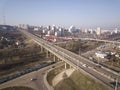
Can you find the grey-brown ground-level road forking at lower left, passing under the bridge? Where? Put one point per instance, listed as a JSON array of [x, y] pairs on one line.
[[25, 80]]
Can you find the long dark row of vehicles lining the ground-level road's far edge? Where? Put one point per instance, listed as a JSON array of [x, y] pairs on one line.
[[25, 71]]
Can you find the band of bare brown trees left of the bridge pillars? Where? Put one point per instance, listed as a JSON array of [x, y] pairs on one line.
[[9, 55]]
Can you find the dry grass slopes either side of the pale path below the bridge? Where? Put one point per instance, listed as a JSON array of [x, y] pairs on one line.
[[77, 81]]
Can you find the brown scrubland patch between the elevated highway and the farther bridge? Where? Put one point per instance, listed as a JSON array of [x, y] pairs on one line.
[[82, 46]]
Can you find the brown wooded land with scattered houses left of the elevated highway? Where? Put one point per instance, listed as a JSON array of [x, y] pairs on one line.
[[18, 52]]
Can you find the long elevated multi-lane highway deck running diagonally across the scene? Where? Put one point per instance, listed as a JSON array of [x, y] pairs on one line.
[[105, 75]]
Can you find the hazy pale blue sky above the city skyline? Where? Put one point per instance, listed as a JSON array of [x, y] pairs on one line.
[[80, 13]]
